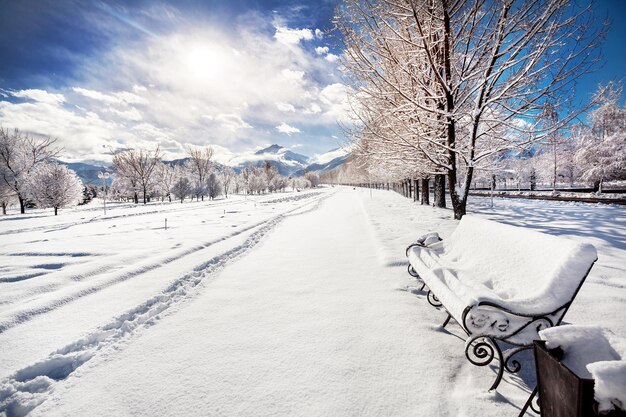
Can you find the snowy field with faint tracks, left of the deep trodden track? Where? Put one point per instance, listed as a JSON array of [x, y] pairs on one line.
[[127, 264]]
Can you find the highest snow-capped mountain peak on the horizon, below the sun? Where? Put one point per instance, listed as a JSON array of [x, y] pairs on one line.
[[285, 161]]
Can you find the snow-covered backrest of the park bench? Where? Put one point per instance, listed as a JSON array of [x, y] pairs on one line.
[[518, 263]]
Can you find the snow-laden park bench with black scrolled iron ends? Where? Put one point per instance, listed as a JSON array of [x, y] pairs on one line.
[[501, 283]]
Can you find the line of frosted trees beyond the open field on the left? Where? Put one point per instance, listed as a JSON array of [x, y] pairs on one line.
[[30, 174]]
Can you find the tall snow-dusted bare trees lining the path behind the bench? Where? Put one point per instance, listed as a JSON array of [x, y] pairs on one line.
[[445, 89]]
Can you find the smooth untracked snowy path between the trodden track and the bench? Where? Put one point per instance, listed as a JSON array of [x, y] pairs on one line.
[[309, 323]]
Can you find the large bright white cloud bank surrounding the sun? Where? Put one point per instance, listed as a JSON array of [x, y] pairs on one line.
[[232, 89]]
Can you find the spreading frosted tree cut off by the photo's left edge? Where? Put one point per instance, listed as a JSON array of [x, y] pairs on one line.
[[19, 155]]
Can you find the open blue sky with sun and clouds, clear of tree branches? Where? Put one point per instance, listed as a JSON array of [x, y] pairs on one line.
[[235, 74]]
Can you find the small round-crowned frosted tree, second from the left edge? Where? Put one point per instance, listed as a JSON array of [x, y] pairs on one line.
[[52, 185]]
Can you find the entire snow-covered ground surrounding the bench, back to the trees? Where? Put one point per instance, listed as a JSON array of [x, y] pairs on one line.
[[283, 304]]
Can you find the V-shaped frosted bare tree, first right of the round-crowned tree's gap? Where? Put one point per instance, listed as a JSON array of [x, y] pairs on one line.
[[138, 167]]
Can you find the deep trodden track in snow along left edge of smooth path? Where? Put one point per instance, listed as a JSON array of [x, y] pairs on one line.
[[28, 387]]
